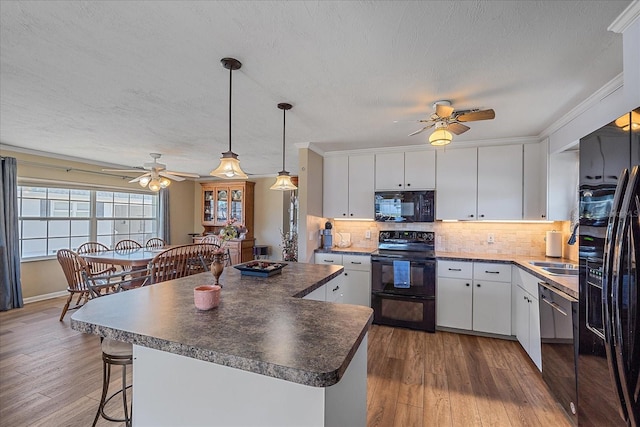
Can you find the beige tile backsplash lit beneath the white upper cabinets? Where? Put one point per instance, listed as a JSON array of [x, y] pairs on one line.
[[523, 239]]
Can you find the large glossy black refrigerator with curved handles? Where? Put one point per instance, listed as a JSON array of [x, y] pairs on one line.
[[609, 319]]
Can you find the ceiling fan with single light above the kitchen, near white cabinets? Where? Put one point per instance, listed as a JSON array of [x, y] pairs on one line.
[[445, 118]]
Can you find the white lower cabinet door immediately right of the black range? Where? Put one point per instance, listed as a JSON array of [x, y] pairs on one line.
[[454, 303]]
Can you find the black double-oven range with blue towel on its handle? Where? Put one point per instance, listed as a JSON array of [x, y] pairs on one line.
[[403, 280]]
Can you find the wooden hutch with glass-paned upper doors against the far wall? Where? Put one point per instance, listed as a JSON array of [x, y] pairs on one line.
[[225, 200]]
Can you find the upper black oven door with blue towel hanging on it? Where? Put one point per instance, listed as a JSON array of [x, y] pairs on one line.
[[422, 278]]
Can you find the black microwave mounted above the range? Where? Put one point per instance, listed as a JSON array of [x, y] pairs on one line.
[[405, 206]]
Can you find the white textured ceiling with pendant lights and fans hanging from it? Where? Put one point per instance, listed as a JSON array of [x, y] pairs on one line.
[[112, 81]]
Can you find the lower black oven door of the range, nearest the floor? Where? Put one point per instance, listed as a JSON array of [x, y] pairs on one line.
[[404, 311]]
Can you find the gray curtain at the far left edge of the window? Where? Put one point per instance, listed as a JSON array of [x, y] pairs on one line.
[[10, 286]]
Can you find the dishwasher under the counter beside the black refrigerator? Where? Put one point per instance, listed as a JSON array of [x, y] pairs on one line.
[[558, 328]]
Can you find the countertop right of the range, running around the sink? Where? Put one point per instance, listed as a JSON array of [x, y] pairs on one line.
[[566, 284]]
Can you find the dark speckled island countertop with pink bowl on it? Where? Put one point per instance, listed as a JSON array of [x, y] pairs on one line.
[[262, 324]]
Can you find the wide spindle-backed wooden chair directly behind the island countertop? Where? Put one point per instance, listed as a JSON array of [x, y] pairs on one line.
[[180, 261]]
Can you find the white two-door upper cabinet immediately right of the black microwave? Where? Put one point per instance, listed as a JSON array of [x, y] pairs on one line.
[[480, 183]]
